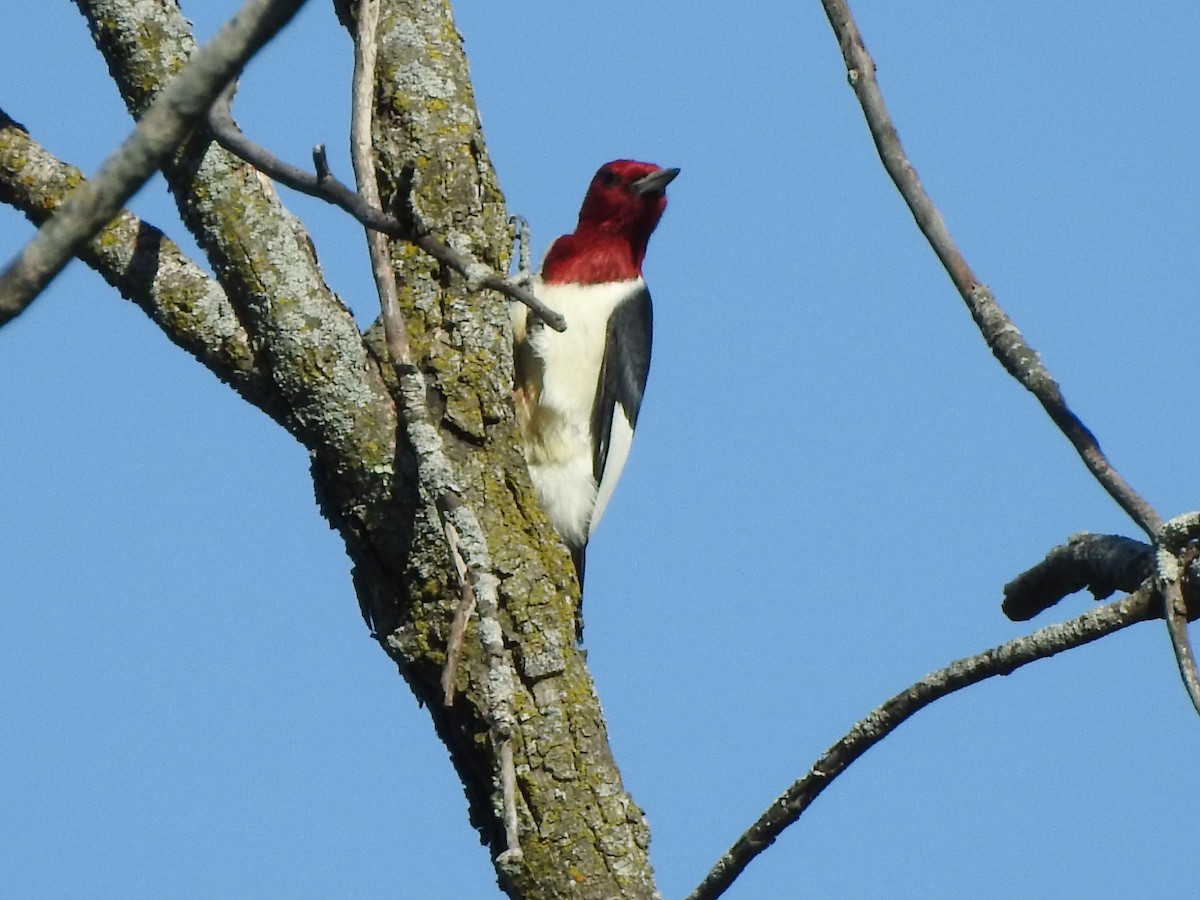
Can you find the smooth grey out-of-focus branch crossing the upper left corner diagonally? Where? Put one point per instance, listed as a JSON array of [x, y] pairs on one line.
[[159, 134]]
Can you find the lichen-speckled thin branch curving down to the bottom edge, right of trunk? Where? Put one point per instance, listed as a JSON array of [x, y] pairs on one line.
[[1000, 661]]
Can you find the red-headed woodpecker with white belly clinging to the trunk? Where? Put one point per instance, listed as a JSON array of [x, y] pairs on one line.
[[579, 392]]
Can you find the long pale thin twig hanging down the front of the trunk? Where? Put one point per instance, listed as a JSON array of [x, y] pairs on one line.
[[465, 537]]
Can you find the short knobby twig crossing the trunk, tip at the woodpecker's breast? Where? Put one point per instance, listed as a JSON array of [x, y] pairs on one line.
[[326, 187]]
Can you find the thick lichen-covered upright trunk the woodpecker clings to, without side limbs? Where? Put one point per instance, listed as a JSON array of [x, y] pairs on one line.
[[581, 835]]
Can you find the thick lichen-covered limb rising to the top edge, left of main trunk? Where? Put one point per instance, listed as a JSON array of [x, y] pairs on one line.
[[338, 403]]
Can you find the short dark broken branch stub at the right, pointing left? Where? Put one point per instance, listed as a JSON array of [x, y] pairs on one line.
[[1105, 563]]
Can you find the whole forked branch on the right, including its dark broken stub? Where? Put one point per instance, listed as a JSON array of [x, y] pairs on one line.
[[1063, 572]]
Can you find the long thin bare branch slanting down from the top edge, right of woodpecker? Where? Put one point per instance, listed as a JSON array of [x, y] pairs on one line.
[[1006, 343]]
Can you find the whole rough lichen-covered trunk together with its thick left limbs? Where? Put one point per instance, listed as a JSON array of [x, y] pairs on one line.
[[275, 331]]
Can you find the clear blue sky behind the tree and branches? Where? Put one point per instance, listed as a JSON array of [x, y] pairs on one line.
[[832, 482]]
